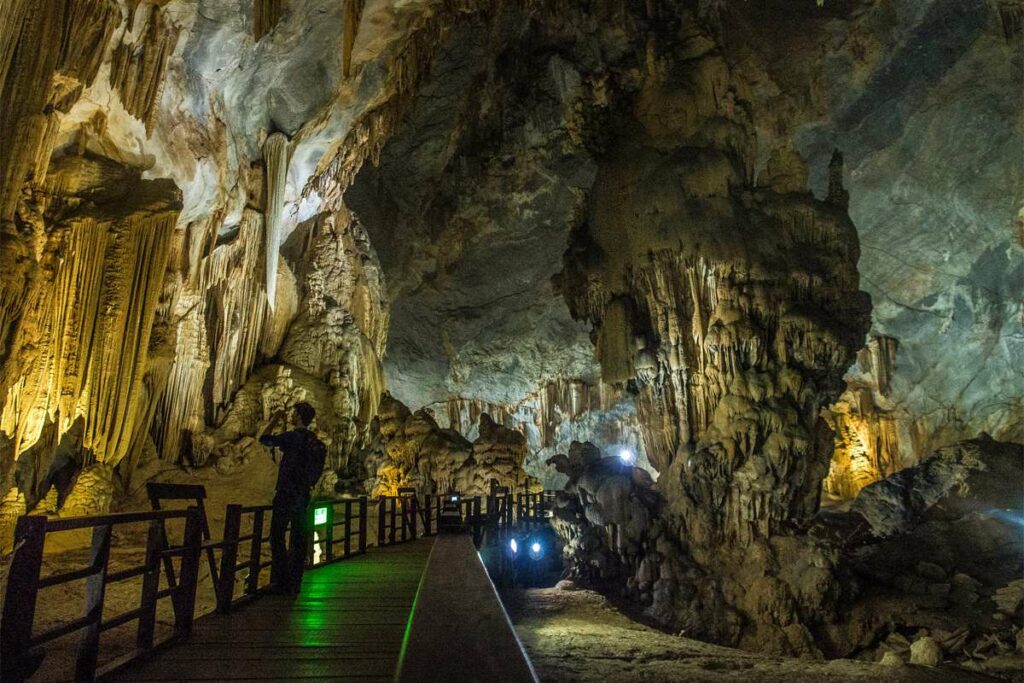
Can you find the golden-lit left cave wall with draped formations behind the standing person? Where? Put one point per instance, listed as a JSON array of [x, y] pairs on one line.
[[147, 195]]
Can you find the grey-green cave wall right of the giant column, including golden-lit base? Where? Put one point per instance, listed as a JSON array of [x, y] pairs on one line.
[[923, 100]]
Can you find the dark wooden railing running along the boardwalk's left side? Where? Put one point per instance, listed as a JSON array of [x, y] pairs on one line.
[[399, 521]]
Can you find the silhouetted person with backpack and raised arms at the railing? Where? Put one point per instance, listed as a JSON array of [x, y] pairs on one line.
[[302, 466]]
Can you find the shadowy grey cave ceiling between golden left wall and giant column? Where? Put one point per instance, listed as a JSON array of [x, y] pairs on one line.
[[471, 208]]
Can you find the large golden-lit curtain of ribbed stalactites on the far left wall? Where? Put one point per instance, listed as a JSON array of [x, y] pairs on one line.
[[90, 329]]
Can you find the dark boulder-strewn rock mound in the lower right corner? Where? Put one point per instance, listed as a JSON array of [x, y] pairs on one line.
[[935, 549]]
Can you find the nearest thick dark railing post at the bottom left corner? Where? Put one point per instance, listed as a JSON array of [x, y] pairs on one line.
[[20, 602]]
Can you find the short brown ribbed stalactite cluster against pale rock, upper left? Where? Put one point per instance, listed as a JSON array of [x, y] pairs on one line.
[[138, 69]]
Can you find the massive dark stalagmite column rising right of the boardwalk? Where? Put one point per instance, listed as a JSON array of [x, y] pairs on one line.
[[743, 341]]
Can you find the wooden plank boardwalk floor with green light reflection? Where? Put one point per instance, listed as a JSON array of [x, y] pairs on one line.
[[349, 624]]
